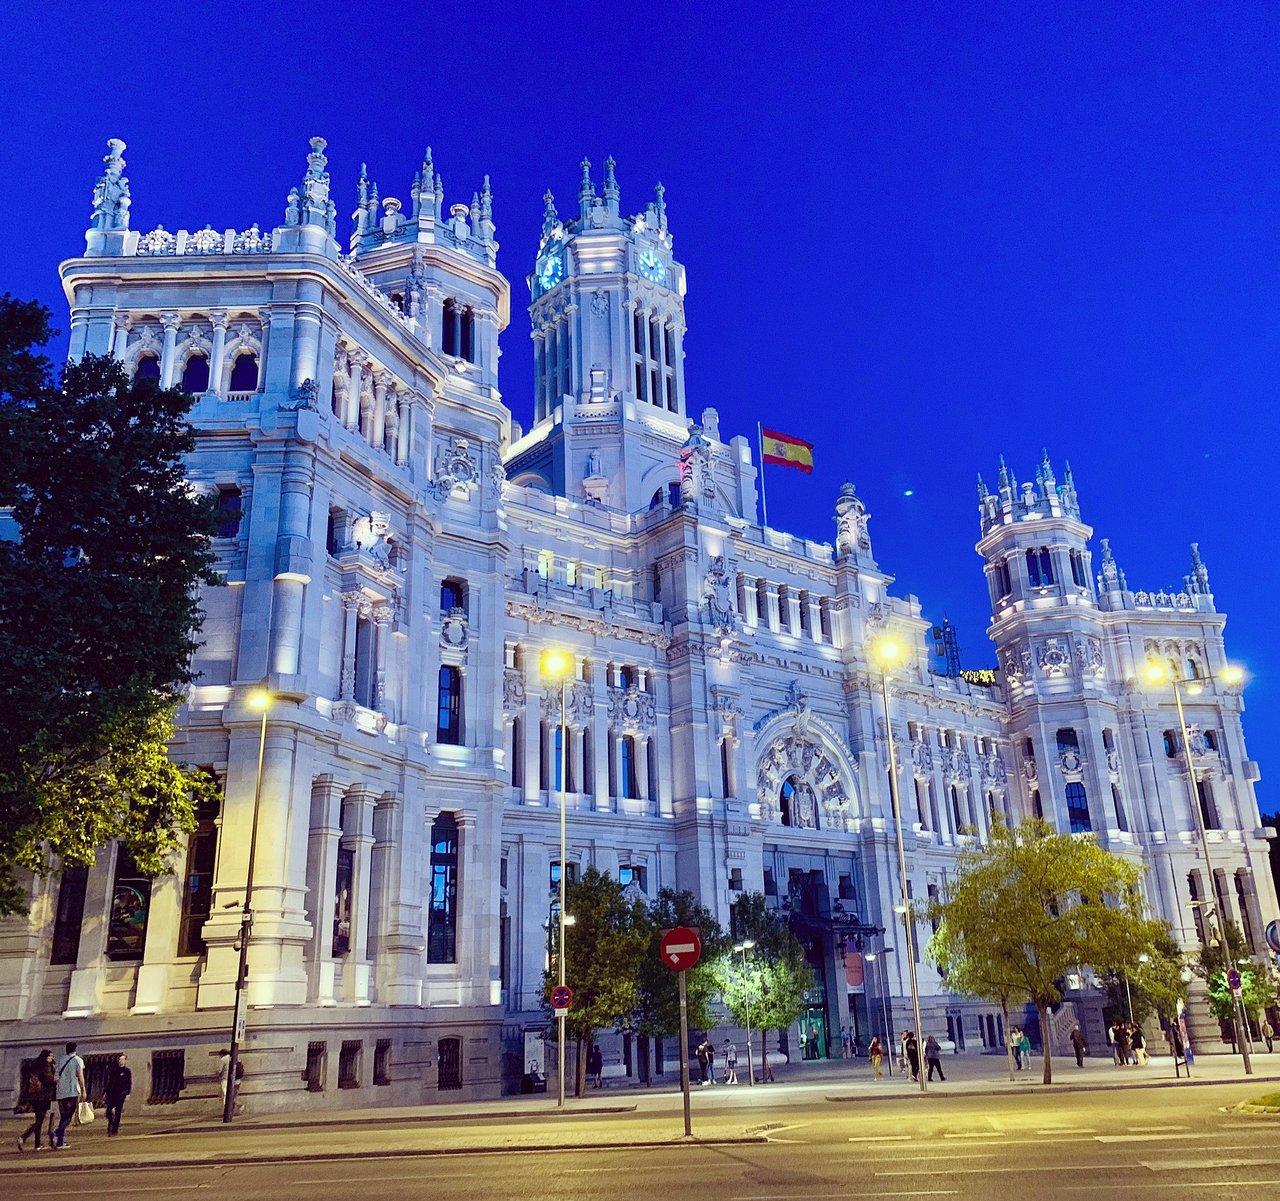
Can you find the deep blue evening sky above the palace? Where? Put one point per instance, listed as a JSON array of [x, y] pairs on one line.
[[918, 239]]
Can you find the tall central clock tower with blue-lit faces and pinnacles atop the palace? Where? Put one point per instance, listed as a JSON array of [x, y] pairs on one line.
[[609, 325]]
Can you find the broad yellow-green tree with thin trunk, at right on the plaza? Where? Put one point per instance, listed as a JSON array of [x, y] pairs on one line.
[[1031, 906]]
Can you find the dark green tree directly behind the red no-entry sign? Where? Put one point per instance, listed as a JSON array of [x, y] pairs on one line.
[[659, 992]]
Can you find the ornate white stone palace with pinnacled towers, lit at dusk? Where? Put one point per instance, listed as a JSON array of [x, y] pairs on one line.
[[396, 552]]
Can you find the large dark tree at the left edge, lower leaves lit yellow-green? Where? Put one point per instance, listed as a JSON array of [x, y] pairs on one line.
[[99, 610]]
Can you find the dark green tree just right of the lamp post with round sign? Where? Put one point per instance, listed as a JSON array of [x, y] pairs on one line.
[[606, 946]]
